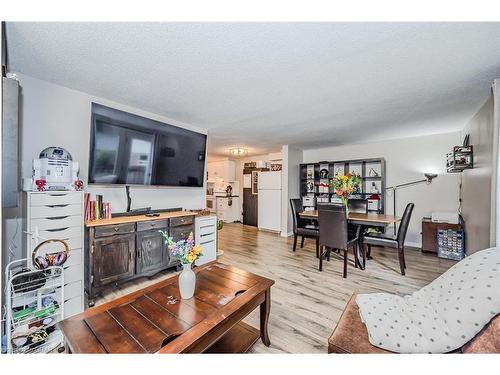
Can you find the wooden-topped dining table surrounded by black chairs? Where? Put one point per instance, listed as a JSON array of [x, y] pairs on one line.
[[365, 220]]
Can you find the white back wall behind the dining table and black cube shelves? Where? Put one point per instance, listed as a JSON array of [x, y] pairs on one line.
[[407, 160]]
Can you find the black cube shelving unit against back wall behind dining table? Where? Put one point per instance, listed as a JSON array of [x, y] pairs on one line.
[[312, 184]]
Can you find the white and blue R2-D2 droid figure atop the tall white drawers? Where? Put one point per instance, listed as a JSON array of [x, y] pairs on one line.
[[54, 170]]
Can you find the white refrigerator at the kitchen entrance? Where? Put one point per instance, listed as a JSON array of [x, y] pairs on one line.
[[269, 201]]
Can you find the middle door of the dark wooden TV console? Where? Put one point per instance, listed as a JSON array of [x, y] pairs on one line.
[[152, 253]]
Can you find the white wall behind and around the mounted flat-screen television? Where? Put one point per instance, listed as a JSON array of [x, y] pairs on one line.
[[52, 115]]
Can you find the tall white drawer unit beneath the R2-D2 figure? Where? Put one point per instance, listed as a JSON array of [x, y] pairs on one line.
[[58, 215]]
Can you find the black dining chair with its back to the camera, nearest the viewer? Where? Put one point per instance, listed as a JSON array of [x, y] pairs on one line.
[[333, 233]]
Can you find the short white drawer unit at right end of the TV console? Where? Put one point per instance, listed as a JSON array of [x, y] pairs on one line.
[[206, 236]]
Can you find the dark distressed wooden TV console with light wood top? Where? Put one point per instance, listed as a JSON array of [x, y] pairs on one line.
[[128, 248]]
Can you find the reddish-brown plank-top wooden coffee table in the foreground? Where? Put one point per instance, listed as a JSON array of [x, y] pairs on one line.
[[156, 320]]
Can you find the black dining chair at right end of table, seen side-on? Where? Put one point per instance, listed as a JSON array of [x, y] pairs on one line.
[[391, 241]]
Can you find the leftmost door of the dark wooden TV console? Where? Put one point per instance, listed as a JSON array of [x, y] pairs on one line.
[[113, 259]]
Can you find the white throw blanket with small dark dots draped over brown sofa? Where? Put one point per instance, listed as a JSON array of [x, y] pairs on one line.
[[440, 317]]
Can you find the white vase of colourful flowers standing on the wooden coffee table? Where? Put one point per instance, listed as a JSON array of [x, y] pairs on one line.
[[187, 252]]
